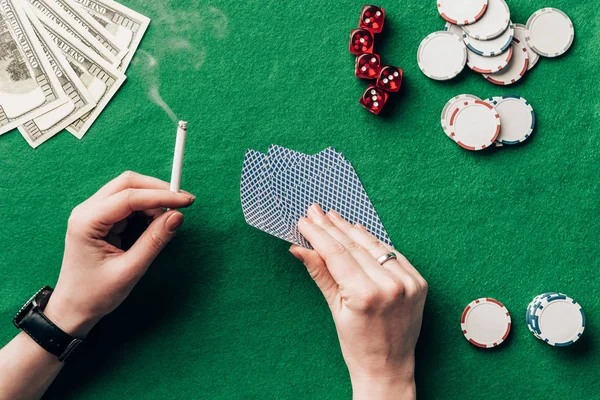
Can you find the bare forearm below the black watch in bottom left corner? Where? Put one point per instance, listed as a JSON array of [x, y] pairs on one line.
[[26, 369]]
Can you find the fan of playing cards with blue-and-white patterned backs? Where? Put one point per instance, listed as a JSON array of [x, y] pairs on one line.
[[277, 189]]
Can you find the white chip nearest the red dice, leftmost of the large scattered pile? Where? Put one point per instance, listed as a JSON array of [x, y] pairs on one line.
[[442, 55]]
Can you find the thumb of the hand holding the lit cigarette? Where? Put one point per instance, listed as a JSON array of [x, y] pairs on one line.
[[152, 241]]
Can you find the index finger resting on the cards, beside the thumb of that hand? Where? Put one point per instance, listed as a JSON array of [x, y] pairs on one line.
[[341, 265]]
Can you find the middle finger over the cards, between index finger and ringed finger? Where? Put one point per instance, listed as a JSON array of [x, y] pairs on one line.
[[370, 265]]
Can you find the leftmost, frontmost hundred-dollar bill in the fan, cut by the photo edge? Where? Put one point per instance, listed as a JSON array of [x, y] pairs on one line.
[[28, 86]]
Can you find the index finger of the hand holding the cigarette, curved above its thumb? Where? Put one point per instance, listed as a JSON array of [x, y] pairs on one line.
[[120, 205]]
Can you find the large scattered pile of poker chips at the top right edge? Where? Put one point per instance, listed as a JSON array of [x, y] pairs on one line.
[[480, 34]]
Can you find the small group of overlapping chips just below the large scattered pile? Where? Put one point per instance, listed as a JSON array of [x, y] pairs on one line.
[[476, 124]]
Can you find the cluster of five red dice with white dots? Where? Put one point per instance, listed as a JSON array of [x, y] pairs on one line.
[[368, 64]]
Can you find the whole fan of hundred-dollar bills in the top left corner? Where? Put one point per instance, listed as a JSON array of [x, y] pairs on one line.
[[61, 62]]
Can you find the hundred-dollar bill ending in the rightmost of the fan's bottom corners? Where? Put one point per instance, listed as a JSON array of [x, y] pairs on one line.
[[100, 78]]
